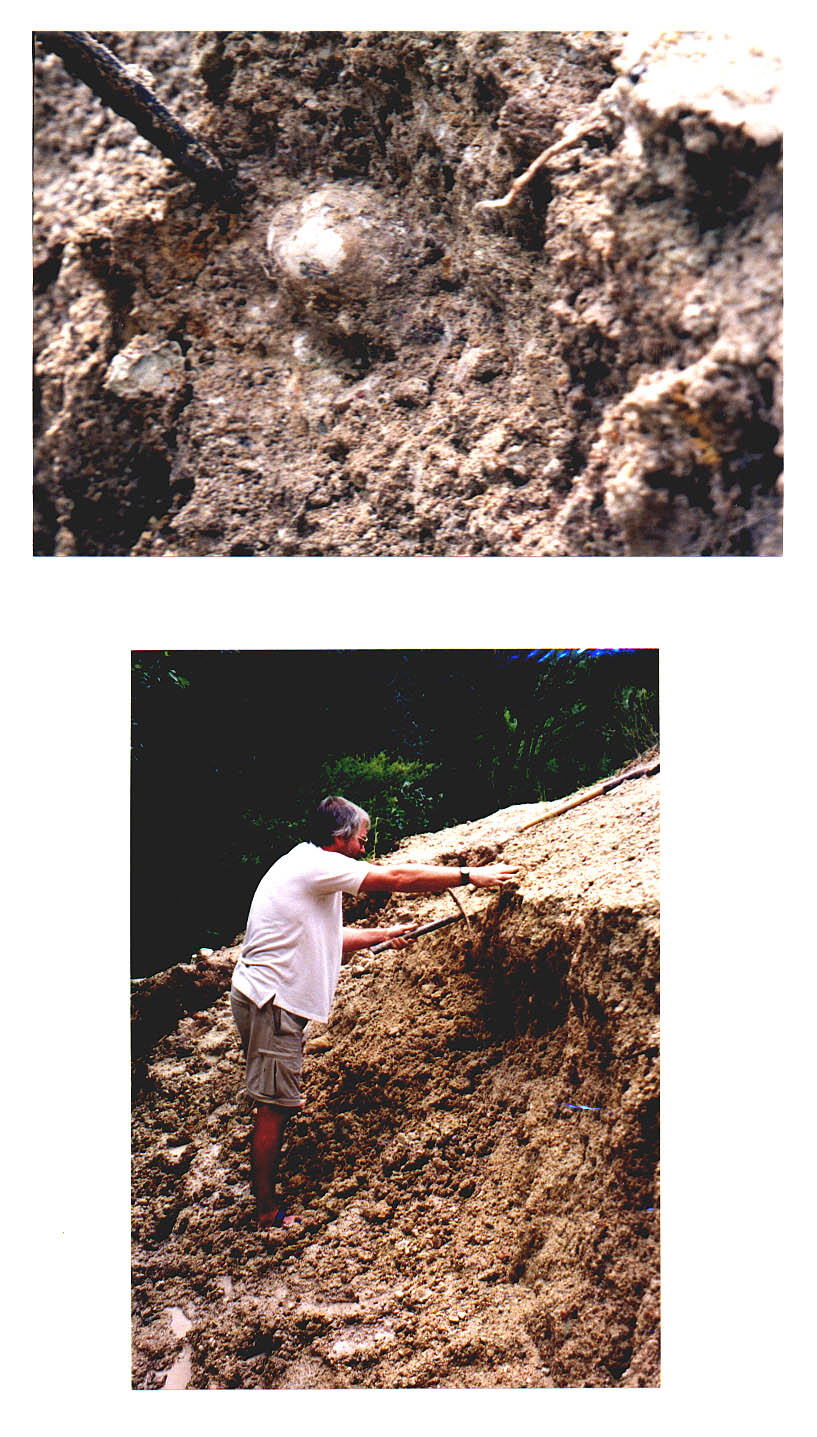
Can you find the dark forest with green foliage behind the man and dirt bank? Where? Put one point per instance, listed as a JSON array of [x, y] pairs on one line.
[[232, 749]]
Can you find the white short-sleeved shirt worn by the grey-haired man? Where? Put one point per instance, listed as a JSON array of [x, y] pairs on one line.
[[294, 942]]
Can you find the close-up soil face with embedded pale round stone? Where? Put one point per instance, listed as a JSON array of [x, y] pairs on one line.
[[364, 363]]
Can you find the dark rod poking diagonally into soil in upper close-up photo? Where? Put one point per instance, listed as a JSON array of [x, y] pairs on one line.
[[114, 84]]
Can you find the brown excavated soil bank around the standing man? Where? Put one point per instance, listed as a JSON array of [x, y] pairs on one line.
[[477, 1160]]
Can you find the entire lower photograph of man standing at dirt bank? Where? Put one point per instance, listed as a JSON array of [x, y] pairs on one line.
[[396, 1020]]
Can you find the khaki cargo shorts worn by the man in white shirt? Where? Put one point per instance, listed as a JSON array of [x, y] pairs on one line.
[[272, 1041]]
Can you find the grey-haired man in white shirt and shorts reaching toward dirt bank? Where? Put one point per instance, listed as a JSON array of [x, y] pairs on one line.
[[291, 964]]
